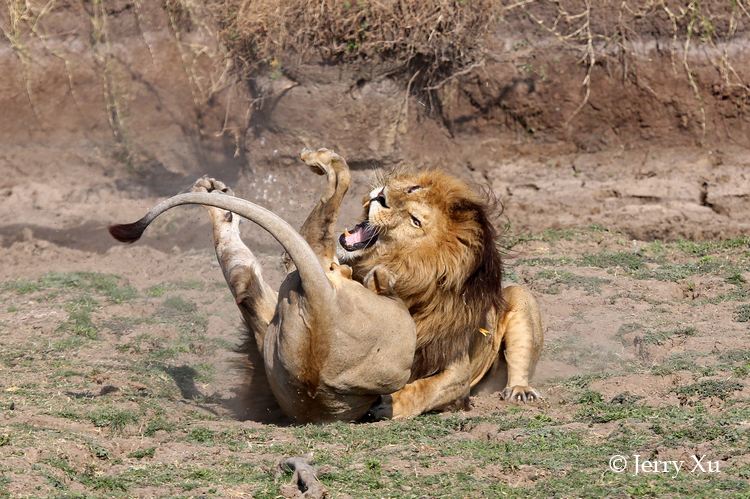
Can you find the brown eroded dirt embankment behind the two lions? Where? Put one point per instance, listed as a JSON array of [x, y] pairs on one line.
[[644, 130]]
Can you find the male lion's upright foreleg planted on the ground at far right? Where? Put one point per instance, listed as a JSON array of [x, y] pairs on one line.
[[522, 342]]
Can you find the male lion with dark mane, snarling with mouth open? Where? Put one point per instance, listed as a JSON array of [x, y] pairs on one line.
[[433, 234]]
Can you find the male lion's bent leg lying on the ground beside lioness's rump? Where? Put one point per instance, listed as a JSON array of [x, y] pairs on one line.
[[427, 394]]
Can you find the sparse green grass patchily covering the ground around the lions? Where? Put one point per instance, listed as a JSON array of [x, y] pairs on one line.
[[127, 443]]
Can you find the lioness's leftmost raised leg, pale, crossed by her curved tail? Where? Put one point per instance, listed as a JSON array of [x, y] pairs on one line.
[[255, 299]]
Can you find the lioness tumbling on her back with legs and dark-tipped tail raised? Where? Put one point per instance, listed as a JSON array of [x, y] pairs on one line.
[[330, 346]]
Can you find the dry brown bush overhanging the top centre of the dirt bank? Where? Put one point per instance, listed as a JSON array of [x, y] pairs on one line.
[[425, 41]]
